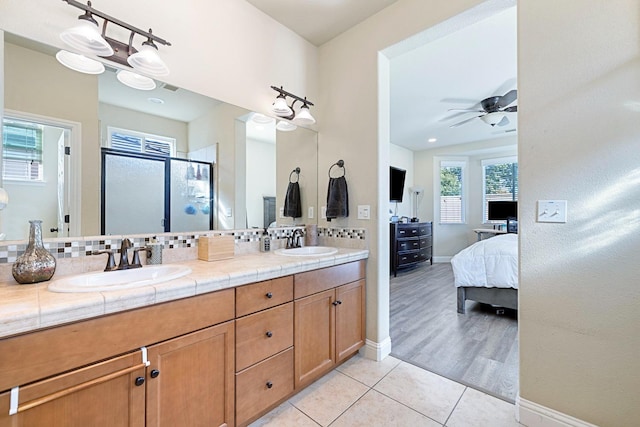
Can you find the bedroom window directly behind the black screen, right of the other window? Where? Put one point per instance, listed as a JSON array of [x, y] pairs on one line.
[[500, 181]]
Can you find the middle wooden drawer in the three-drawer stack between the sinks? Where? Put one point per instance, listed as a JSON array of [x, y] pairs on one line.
[[263, 334]]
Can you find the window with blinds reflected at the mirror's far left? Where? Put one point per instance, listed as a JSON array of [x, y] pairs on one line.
[[22, 151]]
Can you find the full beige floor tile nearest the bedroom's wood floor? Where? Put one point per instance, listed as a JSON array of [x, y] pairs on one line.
[[424, 391]]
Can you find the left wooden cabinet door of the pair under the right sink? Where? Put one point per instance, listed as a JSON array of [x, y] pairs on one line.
[[314, 336]]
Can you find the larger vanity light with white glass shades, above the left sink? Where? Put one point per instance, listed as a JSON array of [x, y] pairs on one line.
[[87, 39]]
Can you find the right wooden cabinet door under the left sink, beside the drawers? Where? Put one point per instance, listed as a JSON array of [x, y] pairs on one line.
[[190, 379]]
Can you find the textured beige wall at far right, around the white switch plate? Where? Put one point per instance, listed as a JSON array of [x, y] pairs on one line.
[[579, 70]]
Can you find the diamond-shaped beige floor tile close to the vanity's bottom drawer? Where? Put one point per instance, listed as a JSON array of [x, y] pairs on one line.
[[328, 397]]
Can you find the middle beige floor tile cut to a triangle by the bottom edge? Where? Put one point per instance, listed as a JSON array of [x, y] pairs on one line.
[[375, 409]]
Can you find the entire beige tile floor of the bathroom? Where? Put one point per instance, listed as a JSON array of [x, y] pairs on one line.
[[362, 392]]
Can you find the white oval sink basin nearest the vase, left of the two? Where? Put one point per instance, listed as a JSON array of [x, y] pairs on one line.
[[120, 279]]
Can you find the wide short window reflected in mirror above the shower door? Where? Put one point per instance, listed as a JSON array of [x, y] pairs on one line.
[[140, 142]]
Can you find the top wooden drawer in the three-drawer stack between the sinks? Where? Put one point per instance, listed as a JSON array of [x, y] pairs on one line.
[[263, 295]]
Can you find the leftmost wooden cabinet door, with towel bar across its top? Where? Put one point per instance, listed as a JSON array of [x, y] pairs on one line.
[[101, 395]]
